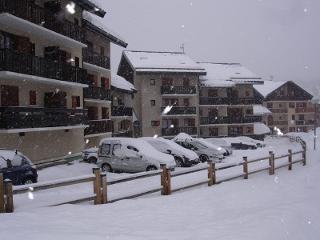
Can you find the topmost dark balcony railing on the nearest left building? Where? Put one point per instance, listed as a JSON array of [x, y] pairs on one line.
[[33, 13]]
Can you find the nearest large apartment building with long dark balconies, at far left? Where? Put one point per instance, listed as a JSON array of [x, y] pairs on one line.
[[42, 76]]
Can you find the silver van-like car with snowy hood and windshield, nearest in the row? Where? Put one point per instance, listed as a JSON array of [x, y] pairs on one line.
[[131, 155]]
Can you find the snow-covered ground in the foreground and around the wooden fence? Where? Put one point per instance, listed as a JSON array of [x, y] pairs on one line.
[[283, 206]]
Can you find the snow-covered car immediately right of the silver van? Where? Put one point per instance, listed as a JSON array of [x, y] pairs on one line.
[[183, 157]]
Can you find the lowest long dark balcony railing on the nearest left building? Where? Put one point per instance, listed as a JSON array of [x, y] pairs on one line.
[[36, 117]]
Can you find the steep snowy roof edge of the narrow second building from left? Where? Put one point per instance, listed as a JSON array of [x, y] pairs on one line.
[[103, 29]]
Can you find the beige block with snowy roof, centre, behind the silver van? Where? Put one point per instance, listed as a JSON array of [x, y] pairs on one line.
[[166, 102]]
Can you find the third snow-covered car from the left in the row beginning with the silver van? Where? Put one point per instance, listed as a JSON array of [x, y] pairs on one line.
[[205, 150]]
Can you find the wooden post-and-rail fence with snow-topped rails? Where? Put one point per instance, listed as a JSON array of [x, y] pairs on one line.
[[100, 183]]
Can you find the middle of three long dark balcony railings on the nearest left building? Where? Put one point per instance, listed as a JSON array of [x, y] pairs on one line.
[[41, 67]]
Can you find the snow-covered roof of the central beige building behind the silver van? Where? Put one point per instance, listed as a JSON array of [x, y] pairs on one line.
[[148, 61]]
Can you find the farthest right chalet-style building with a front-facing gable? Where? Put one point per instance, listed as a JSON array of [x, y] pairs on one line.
[[290, 104]]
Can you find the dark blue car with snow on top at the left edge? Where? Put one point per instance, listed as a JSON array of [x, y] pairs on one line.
[[17, 167]]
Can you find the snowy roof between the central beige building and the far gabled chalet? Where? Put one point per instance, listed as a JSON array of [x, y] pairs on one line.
[[226, 74]]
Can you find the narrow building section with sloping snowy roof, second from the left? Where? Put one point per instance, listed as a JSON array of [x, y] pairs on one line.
[[96, 60]]
